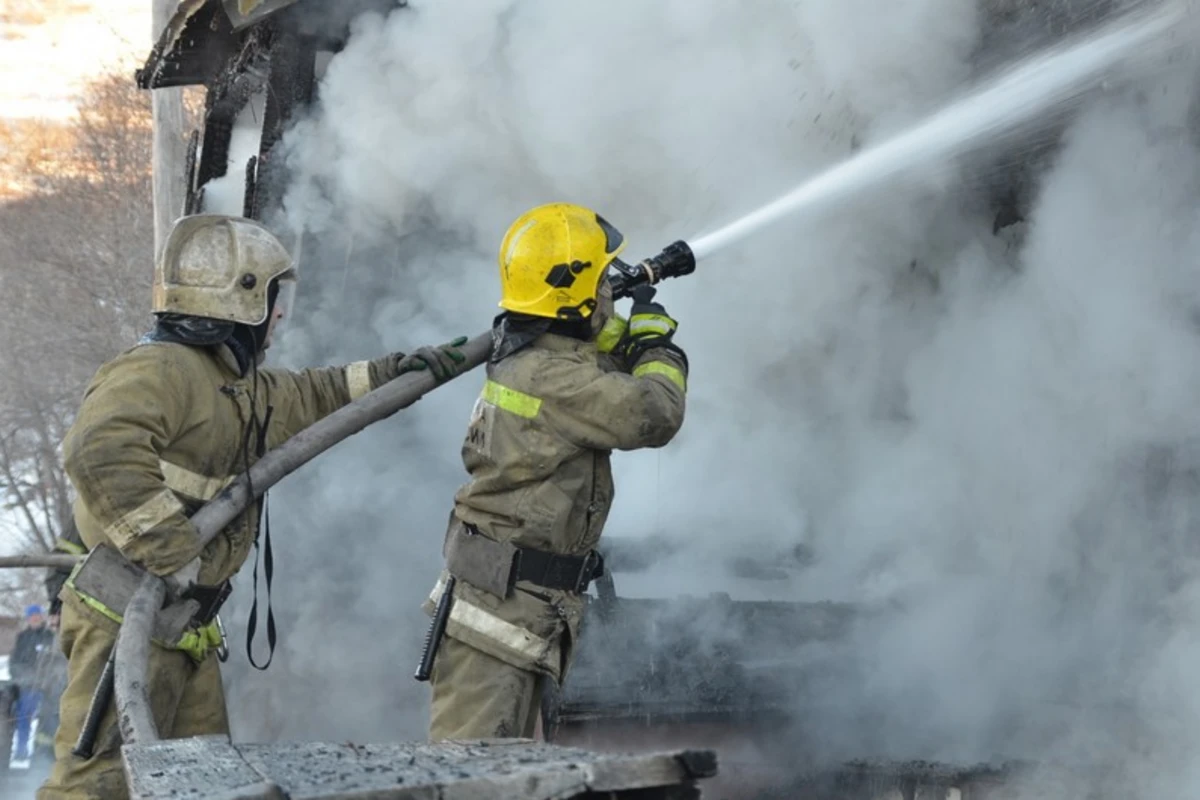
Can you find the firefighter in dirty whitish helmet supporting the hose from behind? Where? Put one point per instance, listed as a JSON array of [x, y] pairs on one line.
[[163, 429]]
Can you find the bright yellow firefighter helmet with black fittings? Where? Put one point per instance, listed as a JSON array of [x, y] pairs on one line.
[[554, 260]]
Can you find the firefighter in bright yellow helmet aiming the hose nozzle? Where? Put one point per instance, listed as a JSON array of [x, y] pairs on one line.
[[567, 384]]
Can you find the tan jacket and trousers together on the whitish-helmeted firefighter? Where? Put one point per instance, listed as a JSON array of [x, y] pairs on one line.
[[161, 430]]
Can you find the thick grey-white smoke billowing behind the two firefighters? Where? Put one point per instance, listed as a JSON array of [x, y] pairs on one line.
[[991, 434]]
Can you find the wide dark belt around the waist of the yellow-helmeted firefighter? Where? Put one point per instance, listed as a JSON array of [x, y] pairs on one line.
[[497, 567]]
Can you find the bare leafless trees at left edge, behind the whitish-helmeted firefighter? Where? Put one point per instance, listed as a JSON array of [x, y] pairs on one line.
[[76, 264]]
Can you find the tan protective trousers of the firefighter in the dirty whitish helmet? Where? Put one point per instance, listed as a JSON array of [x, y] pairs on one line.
[[187, 699]]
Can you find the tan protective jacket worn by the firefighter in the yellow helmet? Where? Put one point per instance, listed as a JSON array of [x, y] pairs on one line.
[[538, 453]]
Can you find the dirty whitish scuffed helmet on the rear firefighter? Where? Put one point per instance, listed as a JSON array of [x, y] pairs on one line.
[[219, 268]]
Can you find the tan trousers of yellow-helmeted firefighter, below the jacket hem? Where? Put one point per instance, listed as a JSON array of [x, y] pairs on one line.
[[479, 697]]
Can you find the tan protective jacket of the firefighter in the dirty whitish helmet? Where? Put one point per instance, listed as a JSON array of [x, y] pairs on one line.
[[164, 428]]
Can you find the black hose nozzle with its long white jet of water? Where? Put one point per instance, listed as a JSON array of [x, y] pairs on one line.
[[998, 107]]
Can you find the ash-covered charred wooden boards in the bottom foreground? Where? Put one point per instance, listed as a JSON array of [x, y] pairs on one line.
[[212, 767]]
